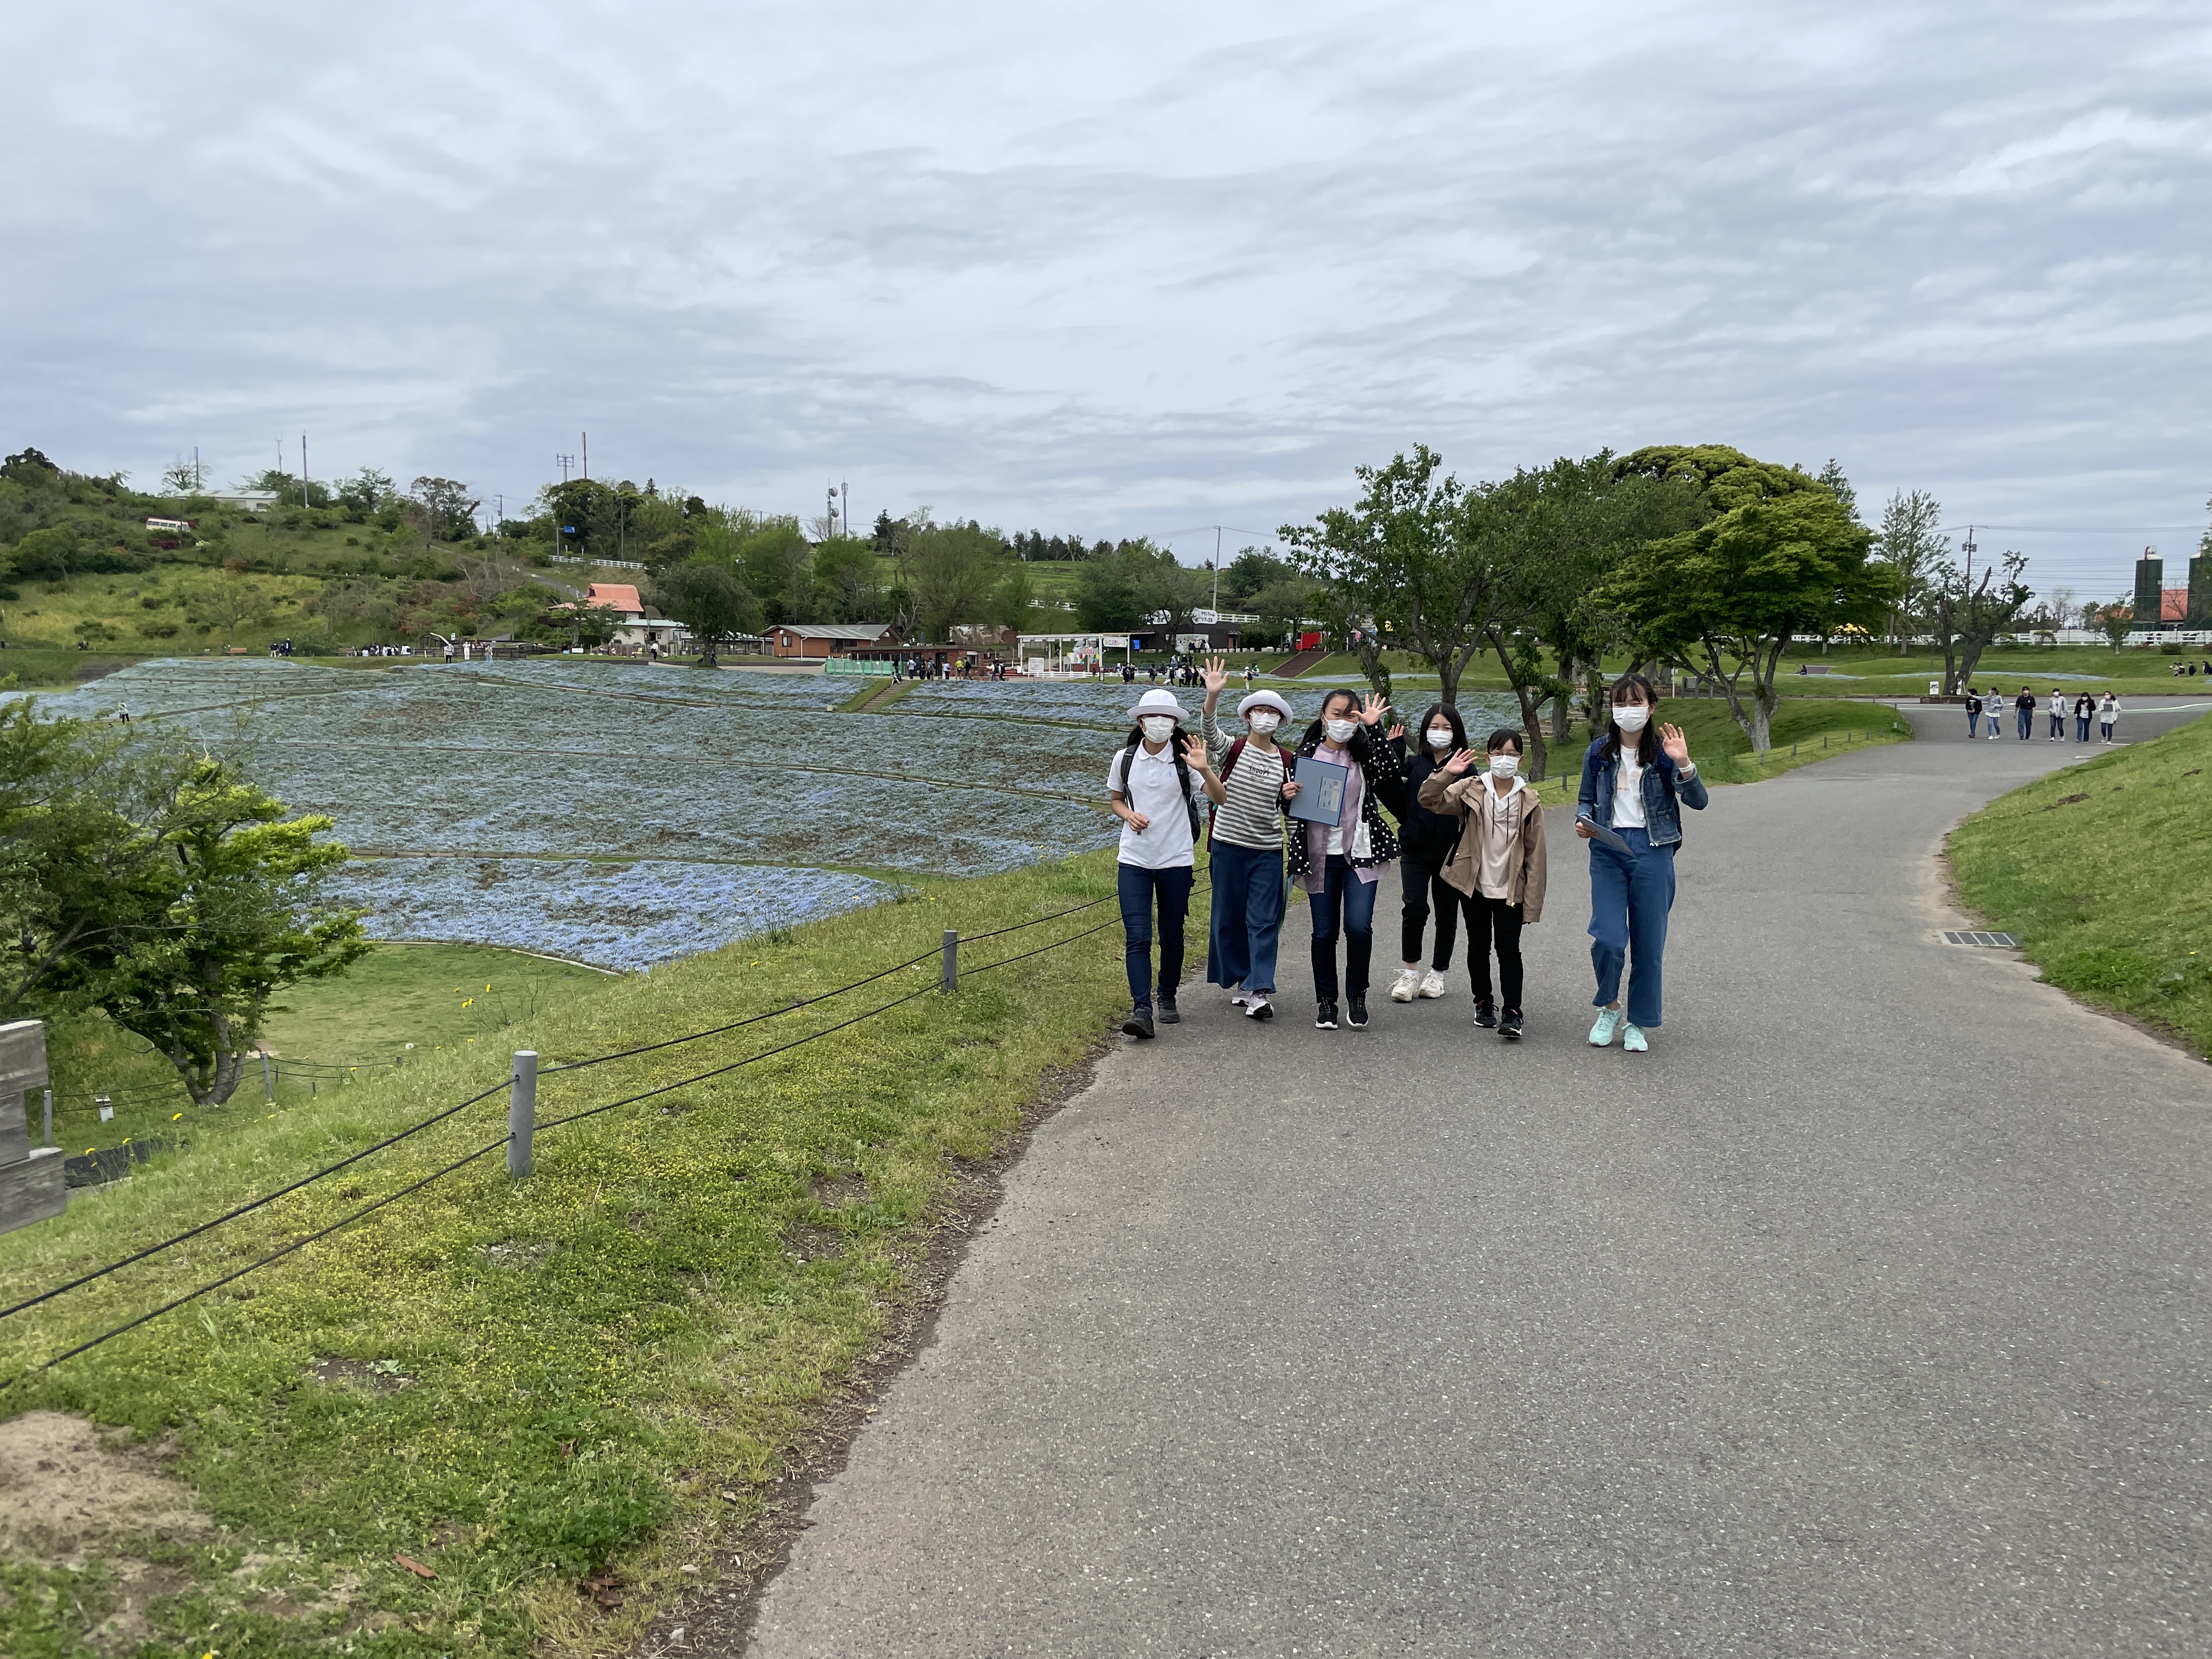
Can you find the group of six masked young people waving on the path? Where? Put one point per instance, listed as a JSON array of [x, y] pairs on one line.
[[1463, 826]]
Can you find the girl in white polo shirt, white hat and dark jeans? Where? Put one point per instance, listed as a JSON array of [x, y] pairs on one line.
[[1158, 786]]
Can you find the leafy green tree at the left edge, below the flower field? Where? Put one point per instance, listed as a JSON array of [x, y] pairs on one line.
[[160, 886]]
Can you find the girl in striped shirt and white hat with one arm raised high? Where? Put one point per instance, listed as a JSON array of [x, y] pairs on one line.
[[1246, 851]]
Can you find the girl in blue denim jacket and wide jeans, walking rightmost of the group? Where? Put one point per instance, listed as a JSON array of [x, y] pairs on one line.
[[1636, 782]]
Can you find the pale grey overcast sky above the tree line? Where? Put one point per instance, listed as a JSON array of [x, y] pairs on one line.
[[1125, 269]]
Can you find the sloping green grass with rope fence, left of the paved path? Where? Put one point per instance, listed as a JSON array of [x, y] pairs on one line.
[[609, 1364]]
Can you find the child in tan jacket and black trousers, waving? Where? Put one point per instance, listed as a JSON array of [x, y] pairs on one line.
[[1499, 864]]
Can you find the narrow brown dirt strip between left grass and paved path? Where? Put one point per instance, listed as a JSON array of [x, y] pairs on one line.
[[718, 1614]]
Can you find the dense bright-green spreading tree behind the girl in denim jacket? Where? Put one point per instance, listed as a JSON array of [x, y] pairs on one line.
[[1777, 561]]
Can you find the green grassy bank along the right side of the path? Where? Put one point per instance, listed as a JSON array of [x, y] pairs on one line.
[[2105, 875]]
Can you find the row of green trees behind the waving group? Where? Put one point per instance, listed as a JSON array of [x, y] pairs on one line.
[[1693, 559]]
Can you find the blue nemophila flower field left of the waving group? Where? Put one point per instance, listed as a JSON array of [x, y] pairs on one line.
[[477, 791]]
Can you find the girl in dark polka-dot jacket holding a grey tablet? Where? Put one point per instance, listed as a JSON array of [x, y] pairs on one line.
[[1342, 866]]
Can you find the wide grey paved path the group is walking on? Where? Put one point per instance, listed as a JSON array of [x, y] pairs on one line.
[[1868, 1315]]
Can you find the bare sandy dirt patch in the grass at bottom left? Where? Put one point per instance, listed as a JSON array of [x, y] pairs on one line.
[[63, 1481]]
